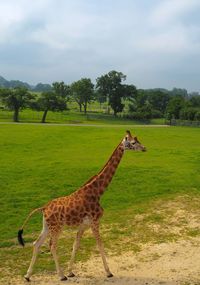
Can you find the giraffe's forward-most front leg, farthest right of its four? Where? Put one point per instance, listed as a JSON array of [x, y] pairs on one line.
[[95, 230]]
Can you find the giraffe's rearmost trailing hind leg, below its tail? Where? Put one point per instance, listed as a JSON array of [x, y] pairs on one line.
[[36, 246]]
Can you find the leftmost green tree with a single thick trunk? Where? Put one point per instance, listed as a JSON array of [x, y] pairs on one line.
[[15, 99]]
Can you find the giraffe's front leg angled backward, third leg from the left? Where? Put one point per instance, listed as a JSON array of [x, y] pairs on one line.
[[76, 245]]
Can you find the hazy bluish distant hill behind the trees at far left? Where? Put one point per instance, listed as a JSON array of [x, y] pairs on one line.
[[40, 87]]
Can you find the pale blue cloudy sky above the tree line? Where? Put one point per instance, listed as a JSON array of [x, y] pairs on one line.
[[155, 43]]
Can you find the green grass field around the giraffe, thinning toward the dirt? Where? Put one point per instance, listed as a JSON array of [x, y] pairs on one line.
[[42, 162]]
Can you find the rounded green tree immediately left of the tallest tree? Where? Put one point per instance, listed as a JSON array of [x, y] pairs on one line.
[[82, 91]]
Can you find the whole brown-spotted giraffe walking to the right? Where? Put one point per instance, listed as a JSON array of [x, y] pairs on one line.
[[82, 209]]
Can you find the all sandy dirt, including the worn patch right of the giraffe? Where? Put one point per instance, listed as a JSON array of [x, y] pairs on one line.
[[166, 263]]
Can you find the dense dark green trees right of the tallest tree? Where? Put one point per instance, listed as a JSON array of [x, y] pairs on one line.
[[176, 104]]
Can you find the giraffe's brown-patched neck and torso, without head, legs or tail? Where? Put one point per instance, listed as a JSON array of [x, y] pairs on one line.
[[72, 209]]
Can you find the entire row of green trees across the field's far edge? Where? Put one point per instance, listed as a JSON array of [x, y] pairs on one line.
[[140, 104]]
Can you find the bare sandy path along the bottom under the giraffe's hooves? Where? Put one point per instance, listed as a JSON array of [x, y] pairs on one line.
[[162, 264]]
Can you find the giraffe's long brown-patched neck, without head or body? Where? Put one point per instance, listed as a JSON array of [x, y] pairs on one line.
[[104, 177]]
